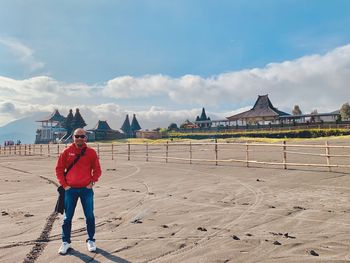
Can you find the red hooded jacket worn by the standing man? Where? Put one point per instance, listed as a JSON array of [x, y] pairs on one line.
[[86, 170]]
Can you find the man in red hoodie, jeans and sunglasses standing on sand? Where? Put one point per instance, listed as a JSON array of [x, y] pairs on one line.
[[78, 183]]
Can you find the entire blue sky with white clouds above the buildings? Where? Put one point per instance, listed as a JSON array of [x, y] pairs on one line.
[[166, 59]]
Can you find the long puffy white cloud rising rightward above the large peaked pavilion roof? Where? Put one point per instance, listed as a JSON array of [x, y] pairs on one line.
[[315, 81]]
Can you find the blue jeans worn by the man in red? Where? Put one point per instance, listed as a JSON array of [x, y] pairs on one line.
[[86, 196]]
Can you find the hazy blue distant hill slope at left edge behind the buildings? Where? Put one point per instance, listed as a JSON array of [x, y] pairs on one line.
[[23, 129]]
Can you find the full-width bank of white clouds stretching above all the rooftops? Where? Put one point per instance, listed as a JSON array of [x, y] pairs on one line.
[[313, 82]]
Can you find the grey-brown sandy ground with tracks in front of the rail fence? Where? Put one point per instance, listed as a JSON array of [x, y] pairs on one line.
[[177, 212]]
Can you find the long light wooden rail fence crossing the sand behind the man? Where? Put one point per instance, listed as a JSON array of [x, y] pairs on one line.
[[284, 155]]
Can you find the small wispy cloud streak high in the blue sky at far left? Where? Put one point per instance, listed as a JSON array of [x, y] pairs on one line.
[[23, 53]]
